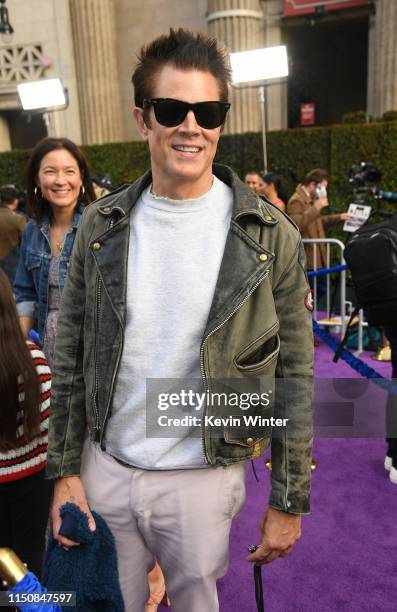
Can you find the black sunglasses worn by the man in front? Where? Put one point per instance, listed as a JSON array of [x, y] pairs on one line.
[[170, 112]]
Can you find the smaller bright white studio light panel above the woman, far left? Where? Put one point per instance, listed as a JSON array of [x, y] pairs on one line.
[[44, 94]]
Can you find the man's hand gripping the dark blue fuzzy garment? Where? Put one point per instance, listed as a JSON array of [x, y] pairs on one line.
[[69, 489]]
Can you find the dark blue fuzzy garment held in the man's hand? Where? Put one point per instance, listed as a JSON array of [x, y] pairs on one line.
[[90, 569]]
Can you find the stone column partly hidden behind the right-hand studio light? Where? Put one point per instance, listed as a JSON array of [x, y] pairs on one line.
[[238, 24]]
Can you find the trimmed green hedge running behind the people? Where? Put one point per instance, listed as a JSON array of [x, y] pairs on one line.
[[291, 153]]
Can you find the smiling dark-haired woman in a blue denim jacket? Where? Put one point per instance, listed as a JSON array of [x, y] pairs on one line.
[[58, 187]]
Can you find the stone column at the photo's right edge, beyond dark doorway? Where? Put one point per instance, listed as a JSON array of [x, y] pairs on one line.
[[382, 59]]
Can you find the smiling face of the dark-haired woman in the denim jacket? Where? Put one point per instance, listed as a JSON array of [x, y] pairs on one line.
[[59, 179]]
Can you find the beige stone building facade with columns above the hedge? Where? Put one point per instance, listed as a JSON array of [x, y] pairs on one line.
[[91, 45]]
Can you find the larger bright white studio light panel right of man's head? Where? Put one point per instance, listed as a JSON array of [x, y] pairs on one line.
[[259, 64]]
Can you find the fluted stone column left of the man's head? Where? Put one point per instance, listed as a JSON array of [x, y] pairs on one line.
[[94, 39]]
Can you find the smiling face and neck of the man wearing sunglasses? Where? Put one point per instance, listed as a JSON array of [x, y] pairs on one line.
[[181, 156]]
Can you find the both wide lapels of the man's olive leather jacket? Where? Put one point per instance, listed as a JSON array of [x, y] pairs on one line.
[[244, 261]]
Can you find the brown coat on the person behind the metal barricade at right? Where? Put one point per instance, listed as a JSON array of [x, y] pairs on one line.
[[311, 223]]
